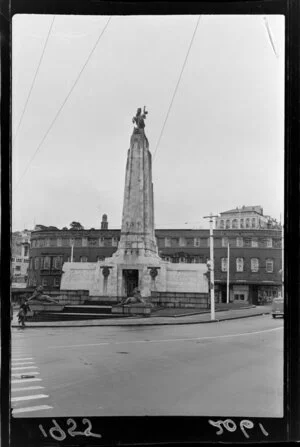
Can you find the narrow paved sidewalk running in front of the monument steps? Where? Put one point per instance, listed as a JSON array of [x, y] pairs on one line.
[[231, 314]]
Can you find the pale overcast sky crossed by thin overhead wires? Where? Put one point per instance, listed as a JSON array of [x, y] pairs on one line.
[[222, 145]]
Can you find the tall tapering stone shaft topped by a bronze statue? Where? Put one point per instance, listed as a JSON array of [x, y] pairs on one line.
[[137, 232]]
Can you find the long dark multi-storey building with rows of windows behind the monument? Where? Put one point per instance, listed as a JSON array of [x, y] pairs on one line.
[[255, 256]]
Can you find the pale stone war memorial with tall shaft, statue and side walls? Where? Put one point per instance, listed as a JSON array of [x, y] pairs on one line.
[[136, 263]]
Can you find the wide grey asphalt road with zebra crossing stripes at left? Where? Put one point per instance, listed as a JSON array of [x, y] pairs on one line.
[[231, 368]]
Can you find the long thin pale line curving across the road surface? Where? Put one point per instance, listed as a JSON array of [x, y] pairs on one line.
[[167, 340]]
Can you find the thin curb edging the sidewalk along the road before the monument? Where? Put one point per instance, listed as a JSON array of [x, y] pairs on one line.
[[171, 323]]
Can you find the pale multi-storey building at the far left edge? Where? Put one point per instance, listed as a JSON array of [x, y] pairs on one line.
[[20, 258]]
